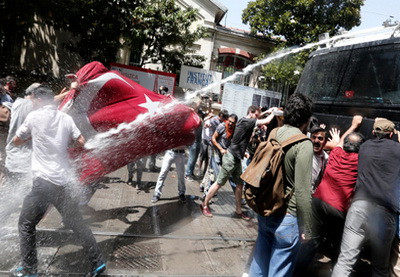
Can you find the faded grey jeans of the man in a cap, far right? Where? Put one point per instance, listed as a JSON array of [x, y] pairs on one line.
[[366, 220]]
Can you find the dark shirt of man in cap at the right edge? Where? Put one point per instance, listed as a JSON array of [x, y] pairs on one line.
[[379, 173]]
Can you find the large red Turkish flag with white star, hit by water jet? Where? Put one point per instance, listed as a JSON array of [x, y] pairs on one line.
[[122, 121]]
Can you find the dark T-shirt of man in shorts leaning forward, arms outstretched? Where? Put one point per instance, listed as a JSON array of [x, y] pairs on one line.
[[241, 137]]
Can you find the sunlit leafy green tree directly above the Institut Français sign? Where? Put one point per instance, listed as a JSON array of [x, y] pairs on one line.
[[163, 32]]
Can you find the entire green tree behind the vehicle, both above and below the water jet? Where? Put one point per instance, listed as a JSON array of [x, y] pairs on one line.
[[297, 22]]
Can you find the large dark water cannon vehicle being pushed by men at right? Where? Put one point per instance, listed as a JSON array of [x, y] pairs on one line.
[[357, 74]]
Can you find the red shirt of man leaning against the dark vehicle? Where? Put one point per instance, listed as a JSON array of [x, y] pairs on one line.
[[337, 184]]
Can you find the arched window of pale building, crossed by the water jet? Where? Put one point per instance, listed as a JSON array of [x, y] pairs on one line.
[[228, 64]]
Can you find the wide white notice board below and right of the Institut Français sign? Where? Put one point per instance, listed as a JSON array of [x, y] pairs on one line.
[[237, 98]]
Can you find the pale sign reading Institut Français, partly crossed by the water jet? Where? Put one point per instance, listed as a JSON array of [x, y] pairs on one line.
[[196, 78]]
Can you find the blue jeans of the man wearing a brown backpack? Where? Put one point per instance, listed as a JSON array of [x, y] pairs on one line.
[[276, 247]]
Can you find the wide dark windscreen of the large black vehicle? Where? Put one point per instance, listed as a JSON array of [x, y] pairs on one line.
[[361, 76]]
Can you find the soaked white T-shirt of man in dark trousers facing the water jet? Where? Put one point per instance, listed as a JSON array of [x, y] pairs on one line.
[[51, 132]]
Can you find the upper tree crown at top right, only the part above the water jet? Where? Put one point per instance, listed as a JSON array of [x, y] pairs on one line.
[[301, 21]]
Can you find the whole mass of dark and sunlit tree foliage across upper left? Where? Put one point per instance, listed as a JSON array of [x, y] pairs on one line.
[[102, 27]]
